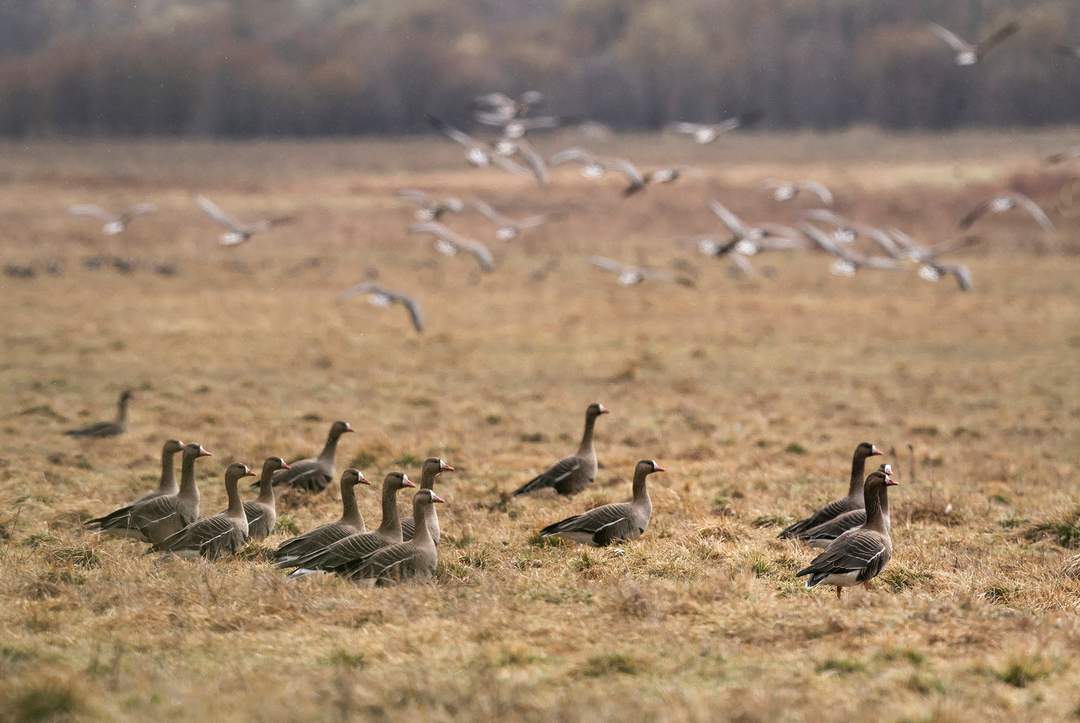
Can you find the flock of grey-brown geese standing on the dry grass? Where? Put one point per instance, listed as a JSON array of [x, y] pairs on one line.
[[853, 531]]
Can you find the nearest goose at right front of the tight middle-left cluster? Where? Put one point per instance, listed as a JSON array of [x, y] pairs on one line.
[[415, 560]]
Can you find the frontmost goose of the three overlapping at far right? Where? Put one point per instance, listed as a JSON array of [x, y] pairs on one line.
[[860, 555]]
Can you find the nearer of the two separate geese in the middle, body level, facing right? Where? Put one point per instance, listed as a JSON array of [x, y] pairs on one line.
[[612, 524]]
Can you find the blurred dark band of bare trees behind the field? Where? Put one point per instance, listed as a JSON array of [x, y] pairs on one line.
[[322, 68]]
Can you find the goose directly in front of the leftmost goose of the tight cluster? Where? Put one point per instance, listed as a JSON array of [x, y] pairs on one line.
[[156, 519]]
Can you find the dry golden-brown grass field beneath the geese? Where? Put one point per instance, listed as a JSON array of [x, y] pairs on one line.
[[751, 393]]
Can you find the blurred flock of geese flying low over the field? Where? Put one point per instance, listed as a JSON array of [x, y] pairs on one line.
[[852, 246]]
